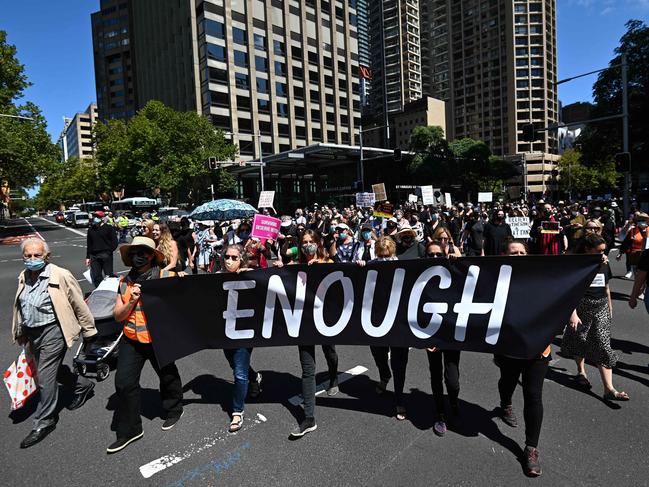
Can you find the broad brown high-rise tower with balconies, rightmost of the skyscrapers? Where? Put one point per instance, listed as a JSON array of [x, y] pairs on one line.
[[495, 65]]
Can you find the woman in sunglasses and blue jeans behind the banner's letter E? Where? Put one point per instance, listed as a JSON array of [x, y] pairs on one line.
[[235, 259]]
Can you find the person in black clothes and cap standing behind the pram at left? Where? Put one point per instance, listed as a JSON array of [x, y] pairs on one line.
[[101, 242]]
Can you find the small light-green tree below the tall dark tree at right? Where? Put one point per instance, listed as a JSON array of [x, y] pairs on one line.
[[579, 178]]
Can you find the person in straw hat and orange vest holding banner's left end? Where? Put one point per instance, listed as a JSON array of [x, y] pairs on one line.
[[135, 348]]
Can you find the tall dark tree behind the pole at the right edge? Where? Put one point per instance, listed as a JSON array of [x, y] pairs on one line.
[[602, 140]]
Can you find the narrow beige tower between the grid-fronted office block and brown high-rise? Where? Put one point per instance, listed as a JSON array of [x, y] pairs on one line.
[[395, 57]]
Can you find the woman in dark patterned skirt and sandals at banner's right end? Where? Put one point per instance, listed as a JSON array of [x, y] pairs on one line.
[[588, 336]]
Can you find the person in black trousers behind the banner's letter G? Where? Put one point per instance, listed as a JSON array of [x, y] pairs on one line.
[[443, 363]]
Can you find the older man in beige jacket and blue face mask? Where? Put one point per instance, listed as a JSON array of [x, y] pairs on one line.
[[49, 314]]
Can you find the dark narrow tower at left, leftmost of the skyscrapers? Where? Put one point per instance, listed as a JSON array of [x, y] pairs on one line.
[[114, 64]]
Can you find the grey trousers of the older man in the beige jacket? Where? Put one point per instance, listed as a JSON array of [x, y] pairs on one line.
[[48, 347]]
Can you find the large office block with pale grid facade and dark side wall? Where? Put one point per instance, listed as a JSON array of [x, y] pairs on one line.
[[275, 74]]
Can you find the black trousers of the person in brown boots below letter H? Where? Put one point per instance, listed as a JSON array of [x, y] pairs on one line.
[[533, 372]]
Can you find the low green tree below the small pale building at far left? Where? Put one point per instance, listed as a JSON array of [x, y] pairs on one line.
[[69, 182]]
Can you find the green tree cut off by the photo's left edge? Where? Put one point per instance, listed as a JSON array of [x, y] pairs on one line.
[[25, 146]]
